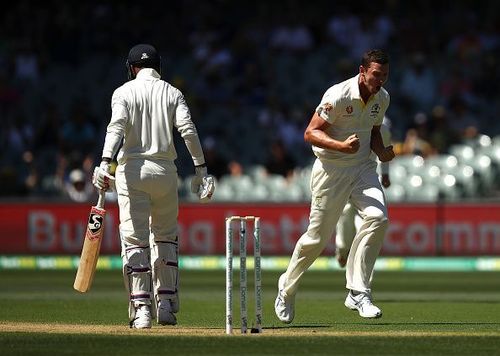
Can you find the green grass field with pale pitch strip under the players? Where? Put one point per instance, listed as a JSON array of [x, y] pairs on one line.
[[425, 313]]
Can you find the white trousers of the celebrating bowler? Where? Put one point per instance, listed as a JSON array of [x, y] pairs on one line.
[[331, 187]]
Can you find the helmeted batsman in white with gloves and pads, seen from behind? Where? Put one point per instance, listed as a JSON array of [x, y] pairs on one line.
[[145, 111]]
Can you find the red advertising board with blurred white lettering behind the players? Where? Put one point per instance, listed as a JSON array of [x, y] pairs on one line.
[[415, 230]]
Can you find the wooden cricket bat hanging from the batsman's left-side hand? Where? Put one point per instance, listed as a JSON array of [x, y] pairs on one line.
[[91, 246]]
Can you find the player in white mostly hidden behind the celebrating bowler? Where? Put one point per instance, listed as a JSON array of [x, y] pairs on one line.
[[350, 221]]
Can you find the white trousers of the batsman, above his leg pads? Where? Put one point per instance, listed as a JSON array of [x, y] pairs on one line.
[[148, 201]]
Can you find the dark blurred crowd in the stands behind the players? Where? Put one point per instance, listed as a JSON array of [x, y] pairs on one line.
[[252, 73]]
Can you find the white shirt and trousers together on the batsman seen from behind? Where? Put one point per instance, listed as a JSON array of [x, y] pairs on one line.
[[145, 112]]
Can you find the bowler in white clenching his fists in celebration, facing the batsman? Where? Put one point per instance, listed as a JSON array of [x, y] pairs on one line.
[[343, 131]]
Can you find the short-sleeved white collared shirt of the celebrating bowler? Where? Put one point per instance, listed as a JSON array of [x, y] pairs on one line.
[[343, 108]]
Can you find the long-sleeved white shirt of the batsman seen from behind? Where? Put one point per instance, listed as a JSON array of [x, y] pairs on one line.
[[144, 112]]
